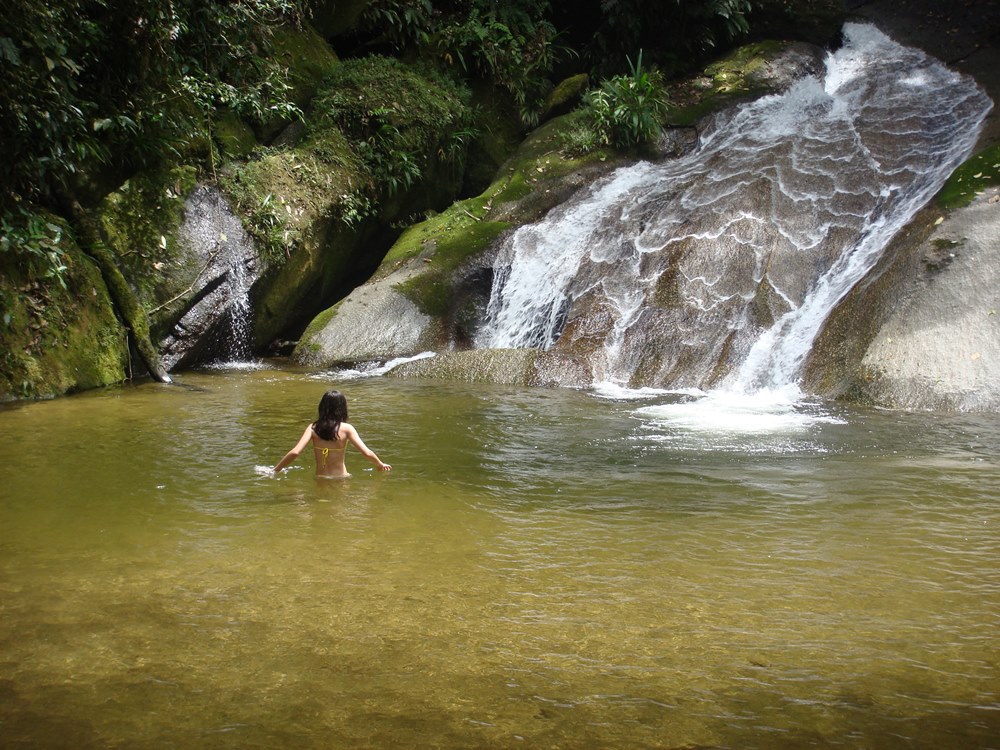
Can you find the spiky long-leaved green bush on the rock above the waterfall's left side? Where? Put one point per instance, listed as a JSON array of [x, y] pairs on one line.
[[627, 111]]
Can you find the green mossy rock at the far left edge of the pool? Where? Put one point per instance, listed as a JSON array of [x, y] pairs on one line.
[[55, 339]]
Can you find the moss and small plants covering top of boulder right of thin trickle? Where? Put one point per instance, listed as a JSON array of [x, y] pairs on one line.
[[374, 128]]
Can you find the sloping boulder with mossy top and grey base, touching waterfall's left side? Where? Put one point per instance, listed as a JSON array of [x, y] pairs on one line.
[[442, 266]]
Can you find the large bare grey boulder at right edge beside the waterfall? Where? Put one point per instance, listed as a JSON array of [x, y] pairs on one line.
[[923, 331]]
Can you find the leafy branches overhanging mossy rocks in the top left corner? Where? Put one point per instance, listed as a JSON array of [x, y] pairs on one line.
[[90, 83]]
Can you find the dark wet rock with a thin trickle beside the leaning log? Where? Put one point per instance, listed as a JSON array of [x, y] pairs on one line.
[[215, 323]]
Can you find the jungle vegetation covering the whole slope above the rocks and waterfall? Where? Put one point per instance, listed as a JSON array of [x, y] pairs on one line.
[[93, 92]]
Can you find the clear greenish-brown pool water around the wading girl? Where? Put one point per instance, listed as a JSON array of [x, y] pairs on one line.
[[543, 568]]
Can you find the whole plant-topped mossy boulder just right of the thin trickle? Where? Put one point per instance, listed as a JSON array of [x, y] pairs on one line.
[[319, 209]]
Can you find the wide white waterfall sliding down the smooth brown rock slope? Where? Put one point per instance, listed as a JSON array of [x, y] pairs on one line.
[[721, 266]]
